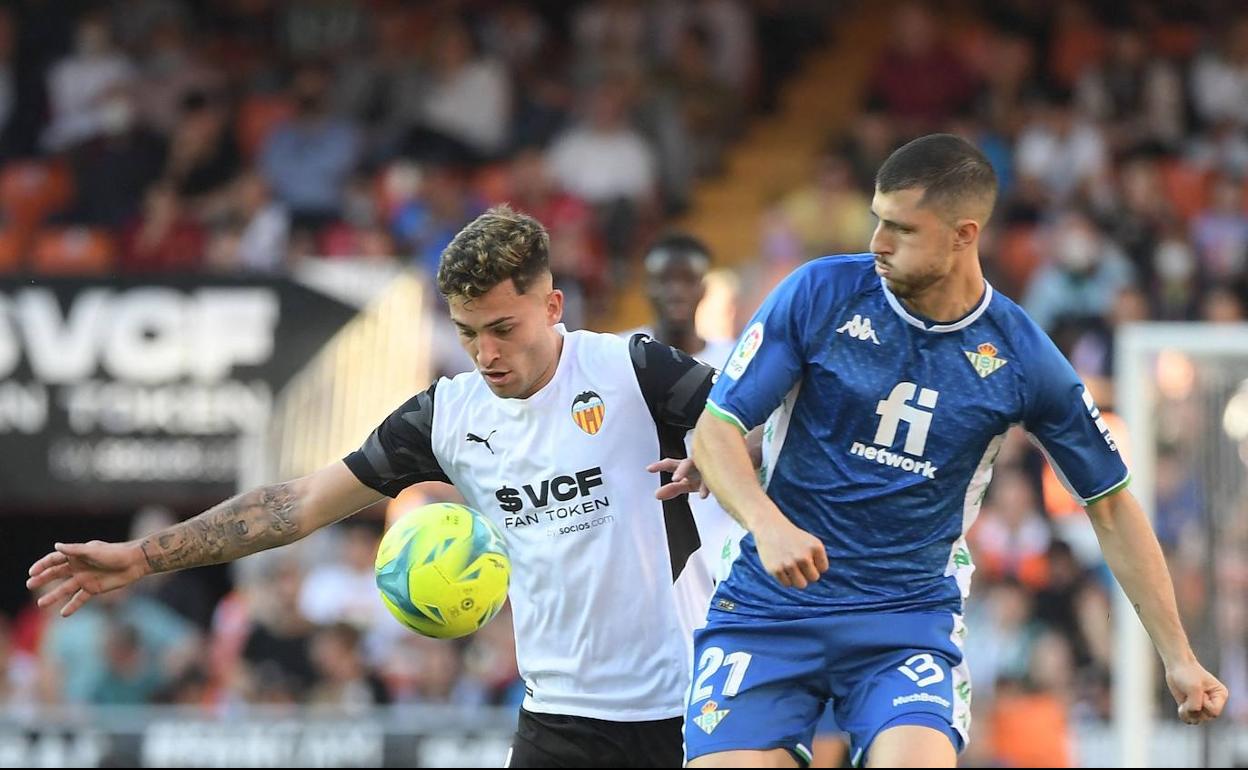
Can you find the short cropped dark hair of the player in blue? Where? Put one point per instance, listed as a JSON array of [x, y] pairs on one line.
[[949, 169]]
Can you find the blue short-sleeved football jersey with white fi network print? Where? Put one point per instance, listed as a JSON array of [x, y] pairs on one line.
[[882, 430]]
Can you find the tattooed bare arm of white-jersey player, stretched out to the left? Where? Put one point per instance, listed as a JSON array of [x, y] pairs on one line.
[[264, 519]]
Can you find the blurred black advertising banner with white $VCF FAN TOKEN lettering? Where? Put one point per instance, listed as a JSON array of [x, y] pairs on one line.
[[137, 391]]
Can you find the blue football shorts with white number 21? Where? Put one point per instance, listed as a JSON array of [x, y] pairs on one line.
[[762, 685]]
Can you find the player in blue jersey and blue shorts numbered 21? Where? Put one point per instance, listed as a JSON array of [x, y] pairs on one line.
[[885, 384]]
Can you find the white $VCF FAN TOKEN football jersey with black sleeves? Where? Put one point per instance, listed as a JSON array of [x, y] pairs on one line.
[[602, 598]]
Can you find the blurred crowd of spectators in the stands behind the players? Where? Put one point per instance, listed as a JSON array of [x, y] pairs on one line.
[[160, 135]]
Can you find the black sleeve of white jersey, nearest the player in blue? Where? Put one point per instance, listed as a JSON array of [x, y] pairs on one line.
[[673, 384]]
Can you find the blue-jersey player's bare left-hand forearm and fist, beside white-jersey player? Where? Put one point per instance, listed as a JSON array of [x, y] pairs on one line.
[[792, 556]]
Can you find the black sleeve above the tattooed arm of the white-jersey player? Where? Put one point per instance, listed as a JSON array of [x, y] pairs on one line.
[[400, 452]]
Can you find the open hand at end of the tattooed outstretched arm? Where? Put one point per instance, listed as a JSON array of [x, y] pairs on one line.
[[87, 570]]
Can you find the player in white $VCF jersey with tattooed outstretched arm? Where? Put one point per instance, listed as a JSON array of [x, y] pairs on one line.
[[550, 437]]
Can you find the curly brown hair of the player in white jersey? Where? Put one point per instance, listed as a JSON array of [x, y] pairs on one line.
[[499, 245]]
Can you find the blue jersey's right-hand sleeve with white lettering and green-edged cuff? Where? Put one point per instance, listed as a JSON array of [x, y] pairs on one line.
[[1068, 425]]
